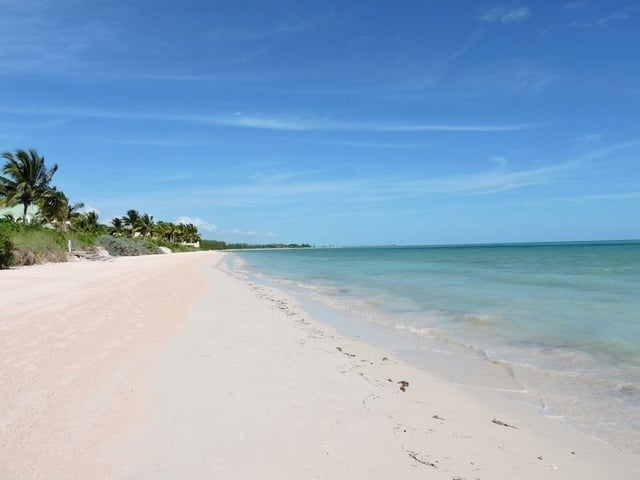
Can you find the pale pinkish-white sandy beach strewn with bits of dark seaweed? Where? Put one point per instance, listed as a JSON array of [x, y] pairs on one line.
[[167, 367]]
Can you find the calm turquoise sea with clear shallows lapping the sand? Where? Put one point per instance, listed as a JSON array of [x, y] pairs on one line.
[[562, 320]]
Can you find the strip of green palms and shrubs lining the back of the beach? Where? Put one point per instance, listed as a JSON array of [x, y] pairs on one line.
[[49, 224]]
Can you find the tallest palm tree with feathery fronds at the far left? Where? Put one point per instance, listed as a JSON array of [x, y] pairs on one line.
[[26, 179]]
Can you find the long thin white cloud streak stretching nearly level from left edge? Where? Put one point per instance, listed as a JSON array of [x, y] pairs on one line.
[[263, 122]]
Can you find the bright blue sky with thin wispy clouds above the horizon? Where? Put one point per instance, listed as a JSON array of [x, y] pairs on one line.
[[335, 122]]
